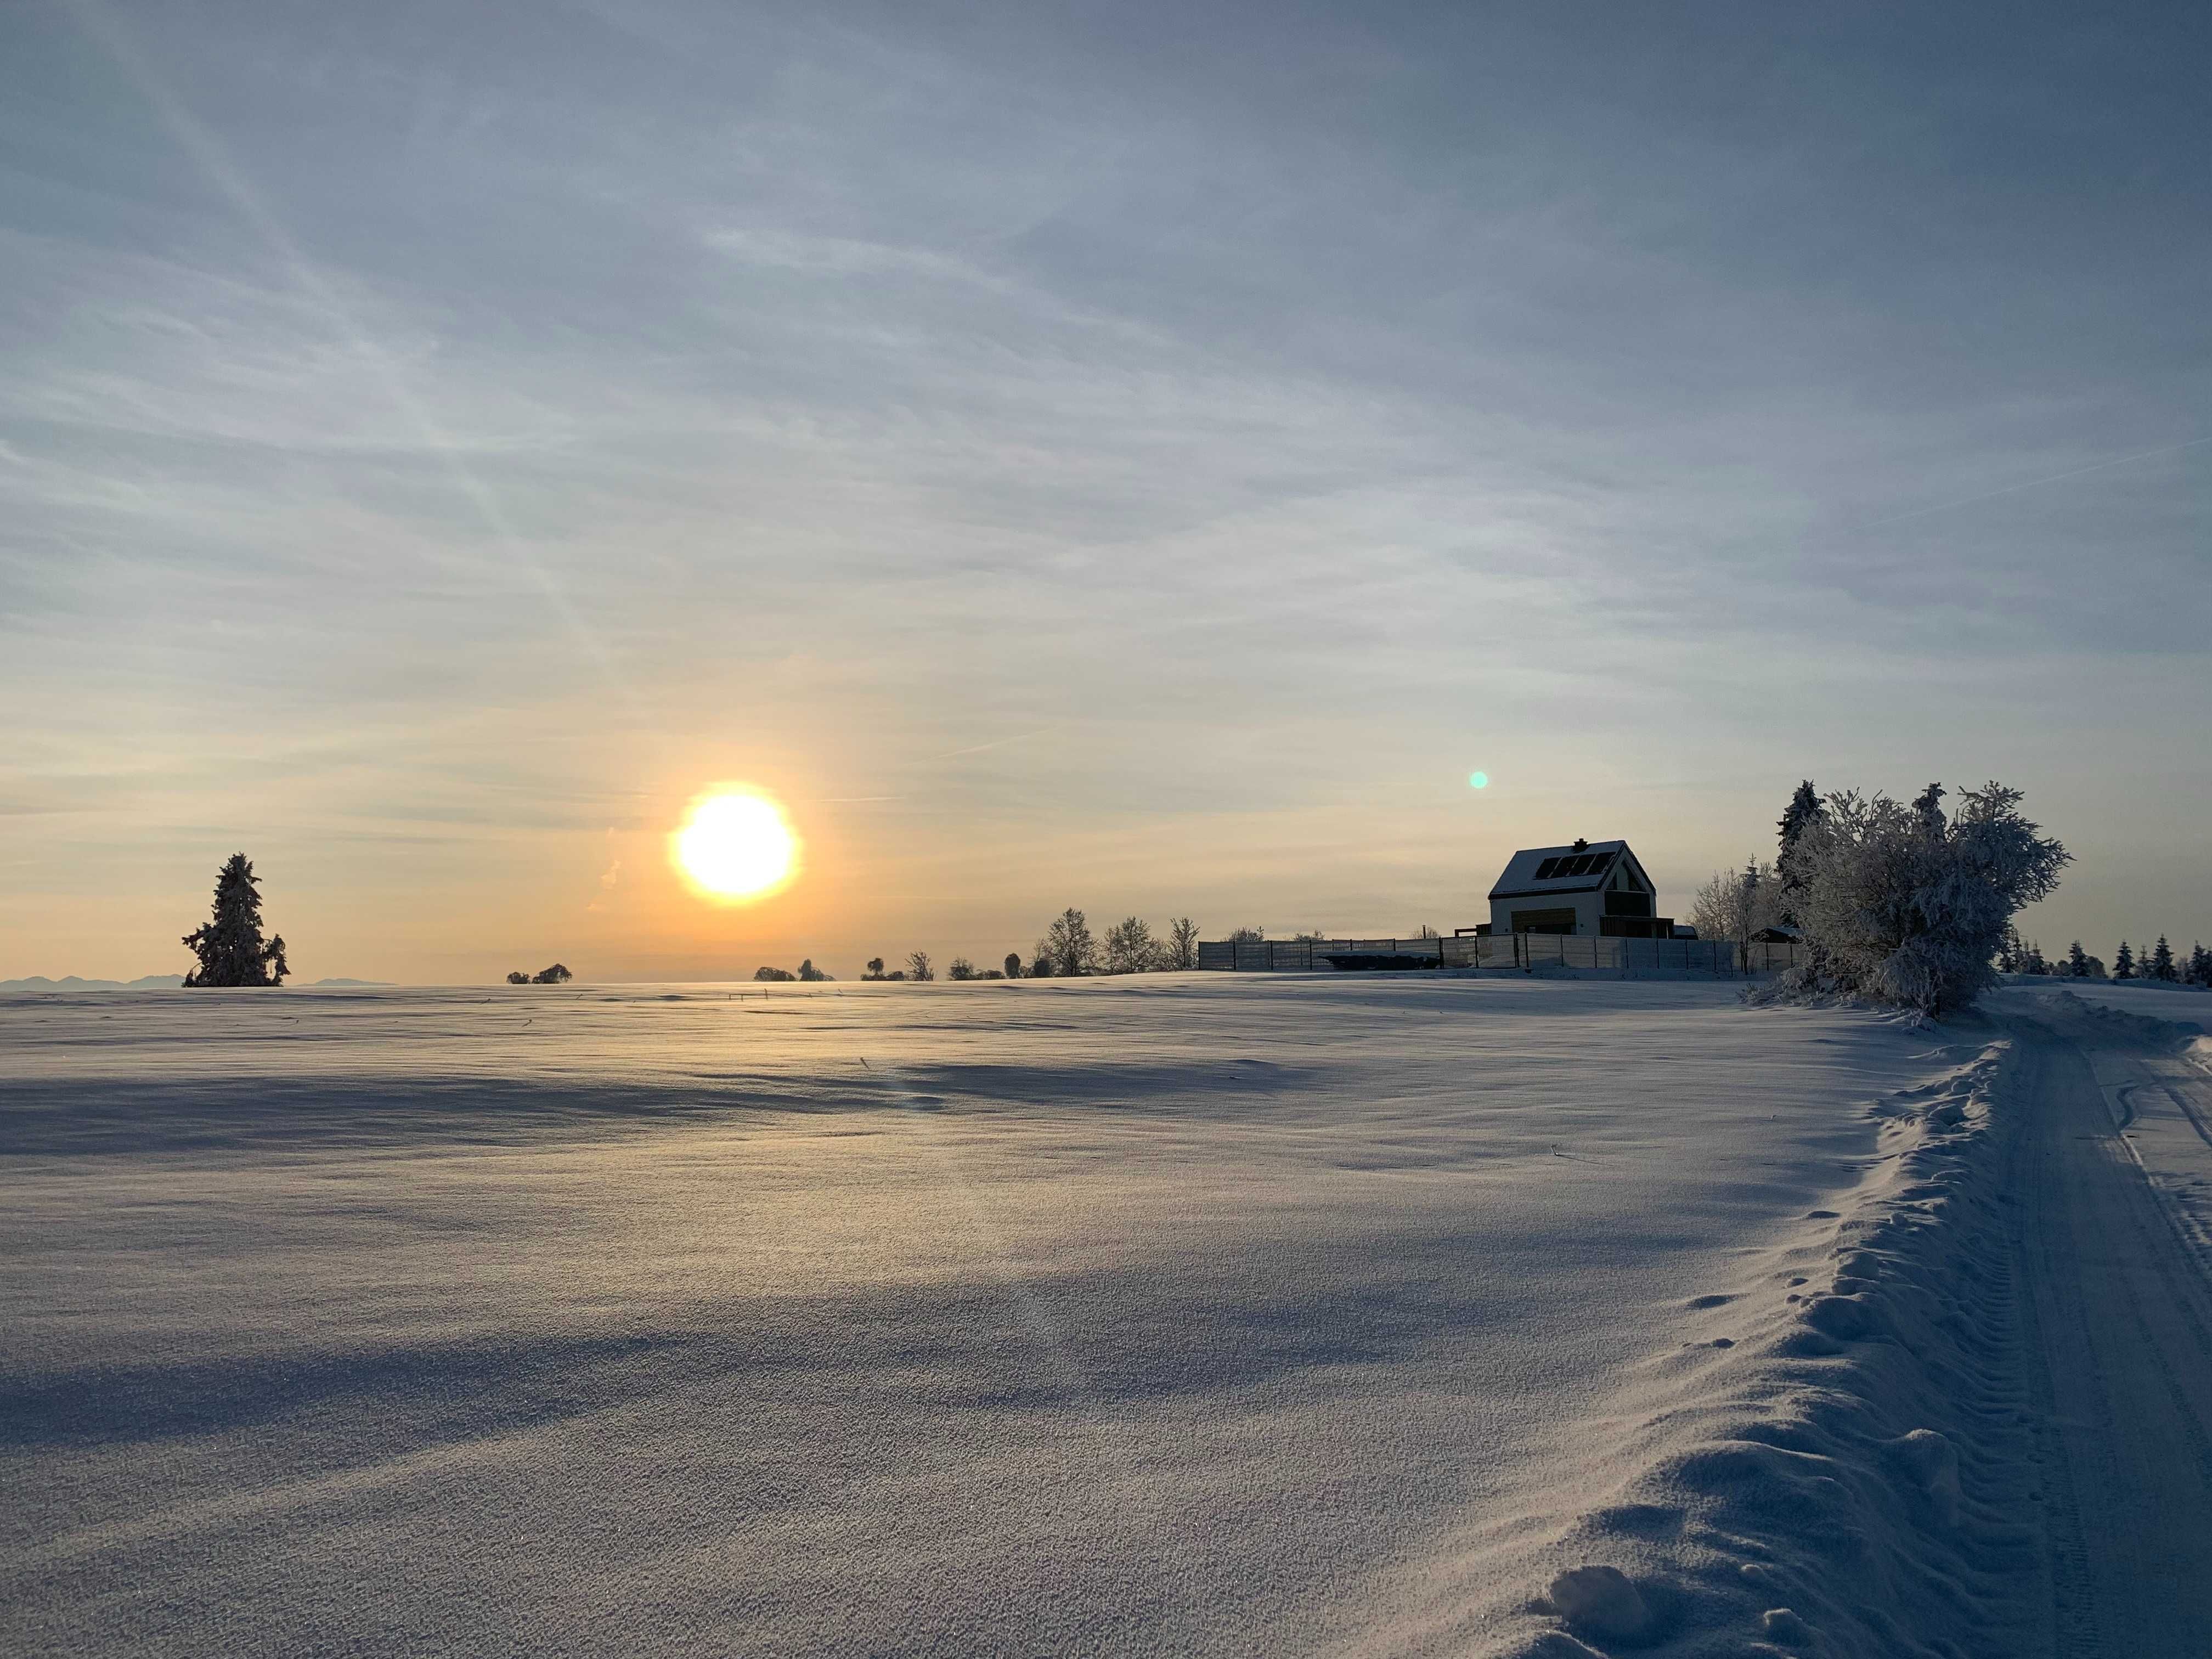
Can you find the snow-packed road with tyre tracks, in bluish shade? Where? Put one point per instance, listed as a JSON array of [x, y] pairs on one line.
[[2114, 1185]]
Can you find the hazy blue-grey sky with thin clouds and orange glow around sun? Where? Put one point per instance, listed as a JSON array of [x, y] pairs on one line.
[[1125, 457]]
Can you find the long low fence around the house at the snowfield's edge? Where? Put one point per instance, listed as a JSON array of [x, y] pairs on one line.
[[1525, 952]]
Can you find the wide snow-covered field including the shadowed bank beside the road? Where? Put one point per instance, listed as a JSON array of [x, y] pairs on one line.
[[1182, 1315]]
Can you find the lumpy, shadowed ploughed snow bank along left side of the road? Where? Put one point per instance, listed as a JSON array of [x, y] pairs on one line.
[[1844, 1465]]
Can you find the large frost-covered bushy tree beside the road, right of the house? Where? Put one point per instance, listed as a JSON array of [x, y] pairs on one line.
[[1906, 906]]
